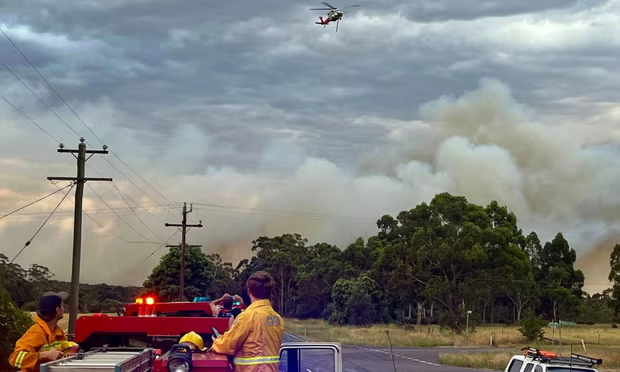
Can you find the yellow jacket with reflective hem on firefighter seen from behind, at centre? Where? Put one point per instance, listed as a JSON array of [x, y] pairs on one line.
[[254, 339]]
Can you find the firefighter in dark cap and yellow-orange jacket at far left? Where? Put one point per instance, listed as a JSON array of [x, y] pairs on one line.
[[44, 341]]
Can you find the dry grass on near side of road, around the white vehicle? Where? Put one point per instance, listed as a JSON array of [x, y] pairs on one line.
[[498, 360]]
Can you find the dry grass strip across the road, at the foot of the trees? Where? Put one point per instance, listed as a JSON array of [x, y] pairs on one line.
[[428, 336]]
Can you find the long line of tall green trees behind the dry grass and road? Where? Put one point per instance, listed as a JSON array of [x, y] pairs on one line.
[[430, 264]]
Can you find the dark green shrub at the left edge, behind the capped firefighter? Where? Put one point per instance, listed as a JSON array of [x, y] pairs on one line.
[[13, 323]]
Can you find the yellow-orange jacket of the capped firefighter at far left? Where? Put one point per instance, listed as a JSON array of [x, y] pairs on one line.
[[37, 339]]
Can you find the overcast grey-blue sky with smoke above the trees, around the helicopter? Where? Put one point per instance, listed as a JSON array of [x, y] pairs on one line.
[[270, 123]]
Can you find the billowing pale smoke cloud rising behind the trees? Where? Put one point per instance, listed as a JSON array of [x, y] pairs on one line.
[[483, 145]]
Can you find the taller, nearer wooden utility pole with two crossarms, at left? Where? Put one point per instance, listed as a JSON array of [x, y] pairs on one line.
[[77, 222]]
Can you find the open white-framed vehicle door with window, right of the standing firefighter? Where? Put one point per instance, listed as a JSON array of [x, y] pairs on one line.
[[310, 356]]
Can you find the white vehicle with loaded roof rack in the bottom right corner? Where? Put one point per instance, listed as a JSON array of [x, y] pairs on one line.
[[535, 360]]
